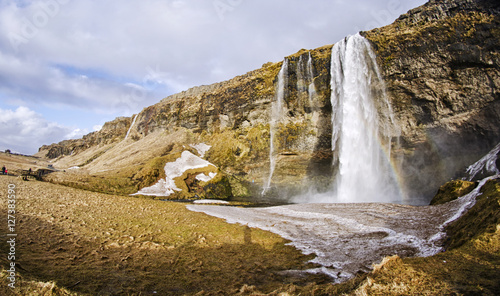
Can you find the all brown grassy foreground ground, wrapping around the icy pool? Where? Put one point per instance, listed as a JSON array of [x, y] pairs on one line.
[[75, 242]]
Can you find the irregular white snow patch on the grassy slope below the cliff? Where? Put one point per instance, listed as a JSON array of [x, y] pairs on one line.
[[173, 170]]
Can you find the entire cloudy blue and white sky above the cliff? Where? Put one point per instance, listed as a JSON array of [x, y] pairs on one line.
[[69, 66]]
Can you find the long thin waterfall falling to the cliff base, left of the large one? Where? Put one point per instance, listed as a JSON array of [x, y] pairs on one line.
[[277, 114]]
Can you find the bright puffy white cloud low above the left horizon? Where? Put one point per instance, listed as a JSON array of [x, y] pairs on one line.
[[23, 130]]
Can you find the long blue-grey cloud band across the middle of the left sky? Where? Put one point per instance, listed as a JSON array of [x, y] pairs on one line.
[[26, 80]]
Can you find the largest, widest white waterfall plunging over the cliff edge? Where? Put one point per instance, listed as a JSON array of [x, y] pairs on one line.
[[362, 122]]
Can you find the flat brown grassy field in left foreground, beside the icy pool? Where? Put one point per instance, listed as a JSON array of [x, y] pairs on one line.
[[101, 244]]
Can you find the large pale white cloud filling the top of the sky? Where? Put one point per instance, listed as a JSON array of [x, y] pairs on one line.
[[182, 38]]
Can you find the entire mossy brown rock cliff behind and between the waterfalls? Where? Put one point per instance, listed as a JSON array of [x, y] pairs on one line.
[[441, 65]]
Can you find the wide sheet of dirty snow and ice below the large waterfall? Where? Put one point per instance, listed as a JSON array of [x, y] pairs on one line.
[[347, 238]]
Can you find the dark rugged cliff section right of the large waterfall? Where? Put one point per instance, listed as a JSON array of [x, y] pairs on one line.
[[441, 66]]
